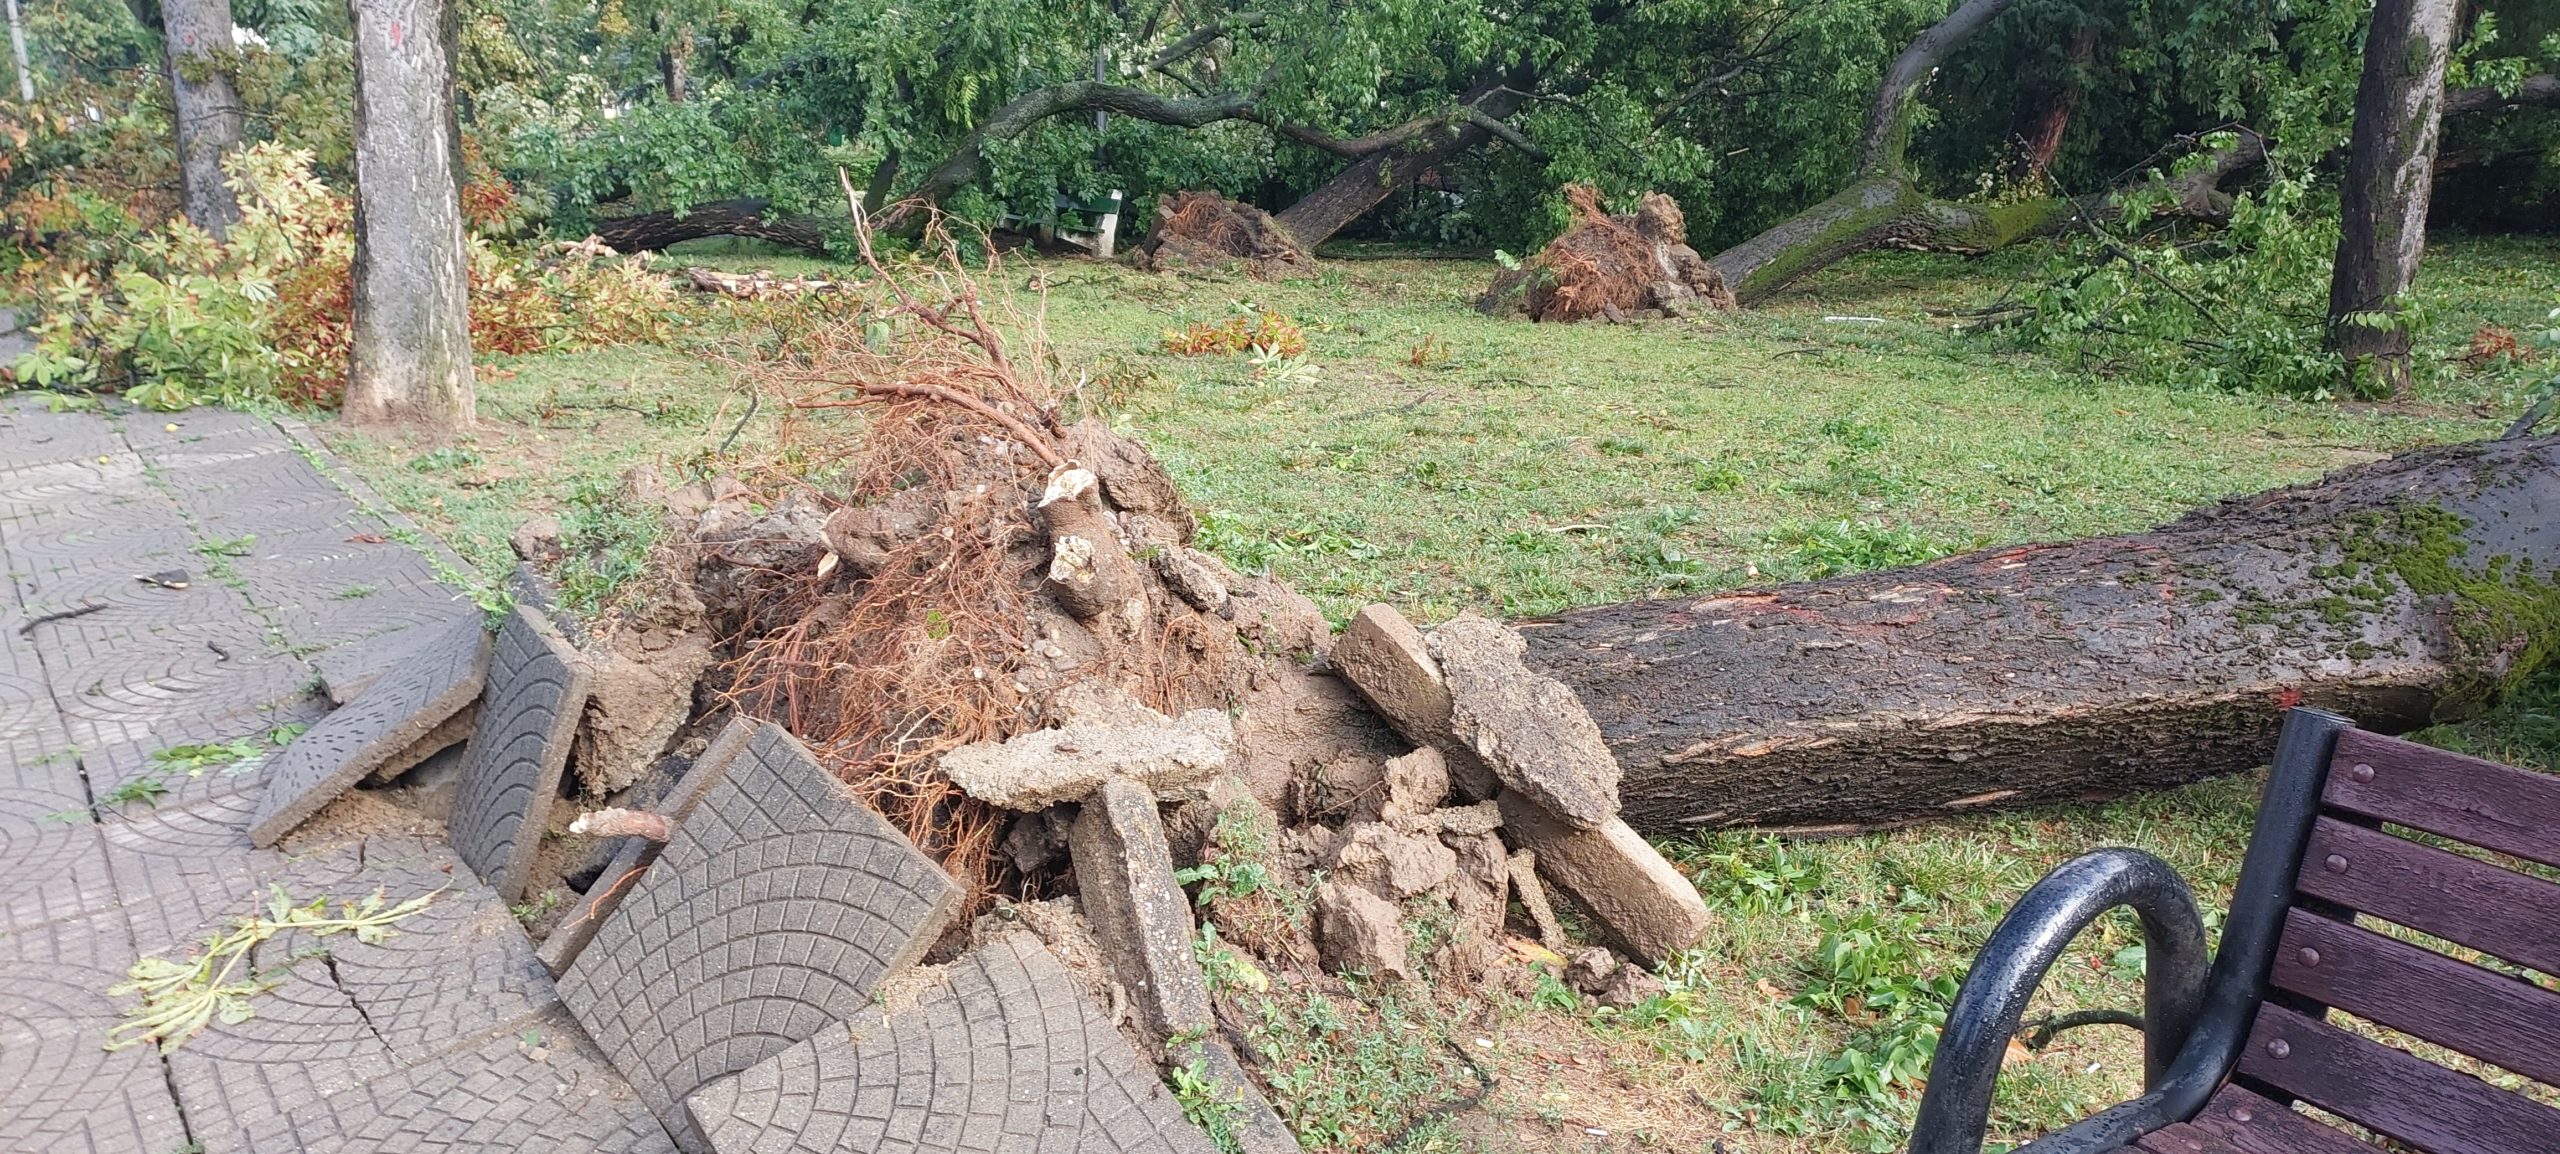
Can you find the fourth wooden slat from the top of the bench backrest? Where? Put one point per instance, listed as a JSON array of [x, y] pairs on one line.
[[2395, 1094]]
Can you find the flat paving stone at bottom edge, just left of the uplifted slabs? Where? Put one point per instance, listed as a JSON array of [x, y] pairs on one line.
[[534, 1091]]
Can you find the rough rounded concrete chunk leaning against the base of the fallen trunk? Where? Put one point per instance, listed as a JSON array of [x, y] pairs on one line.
[[1530, 728]]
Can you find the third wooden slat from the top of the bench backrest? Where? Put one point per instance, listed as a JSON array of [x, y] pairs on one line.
[[2418, 992]]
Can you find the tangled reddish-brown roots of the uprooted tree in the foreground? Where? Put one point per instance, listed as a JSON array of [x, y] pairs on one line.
[[913, 661]]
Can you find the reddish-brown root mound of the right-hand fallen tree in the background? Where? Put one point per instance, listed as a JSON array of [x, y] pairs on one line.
[[1619, 267]]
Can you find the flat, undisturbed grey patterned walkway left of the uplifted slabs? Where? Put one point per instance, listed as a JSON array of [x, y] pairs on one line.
[[442, 1038]]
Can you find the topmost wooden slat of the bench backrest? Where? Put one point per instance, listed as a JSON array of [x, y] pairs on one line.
[[2495, 807]]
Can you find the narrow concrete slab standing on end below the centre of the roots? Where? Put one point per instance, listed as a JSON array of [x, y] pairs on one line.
[[1138, 912]]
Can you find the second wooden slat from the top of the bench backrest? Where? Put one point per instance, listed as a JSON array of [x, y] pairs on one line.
[[2436, 892]]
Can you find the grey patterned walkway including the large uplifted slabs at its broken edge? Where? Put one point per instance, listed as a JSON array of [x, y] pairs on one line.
[[173, 582]]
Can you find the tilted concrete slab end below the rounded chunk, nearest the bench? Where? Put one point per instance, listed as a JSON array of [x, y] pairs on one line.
[[1640, 902]]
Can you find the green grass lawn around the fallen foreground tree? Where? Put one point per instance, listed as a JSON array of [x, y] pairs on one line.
[[1448, 462]]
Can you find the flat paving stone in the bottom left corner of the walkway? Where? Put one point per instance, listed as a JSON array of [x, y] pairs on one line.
[[65, 1091]]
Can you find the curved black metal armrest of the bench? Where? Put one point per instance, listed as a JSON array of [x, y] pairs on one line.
[[2029, 940]]
